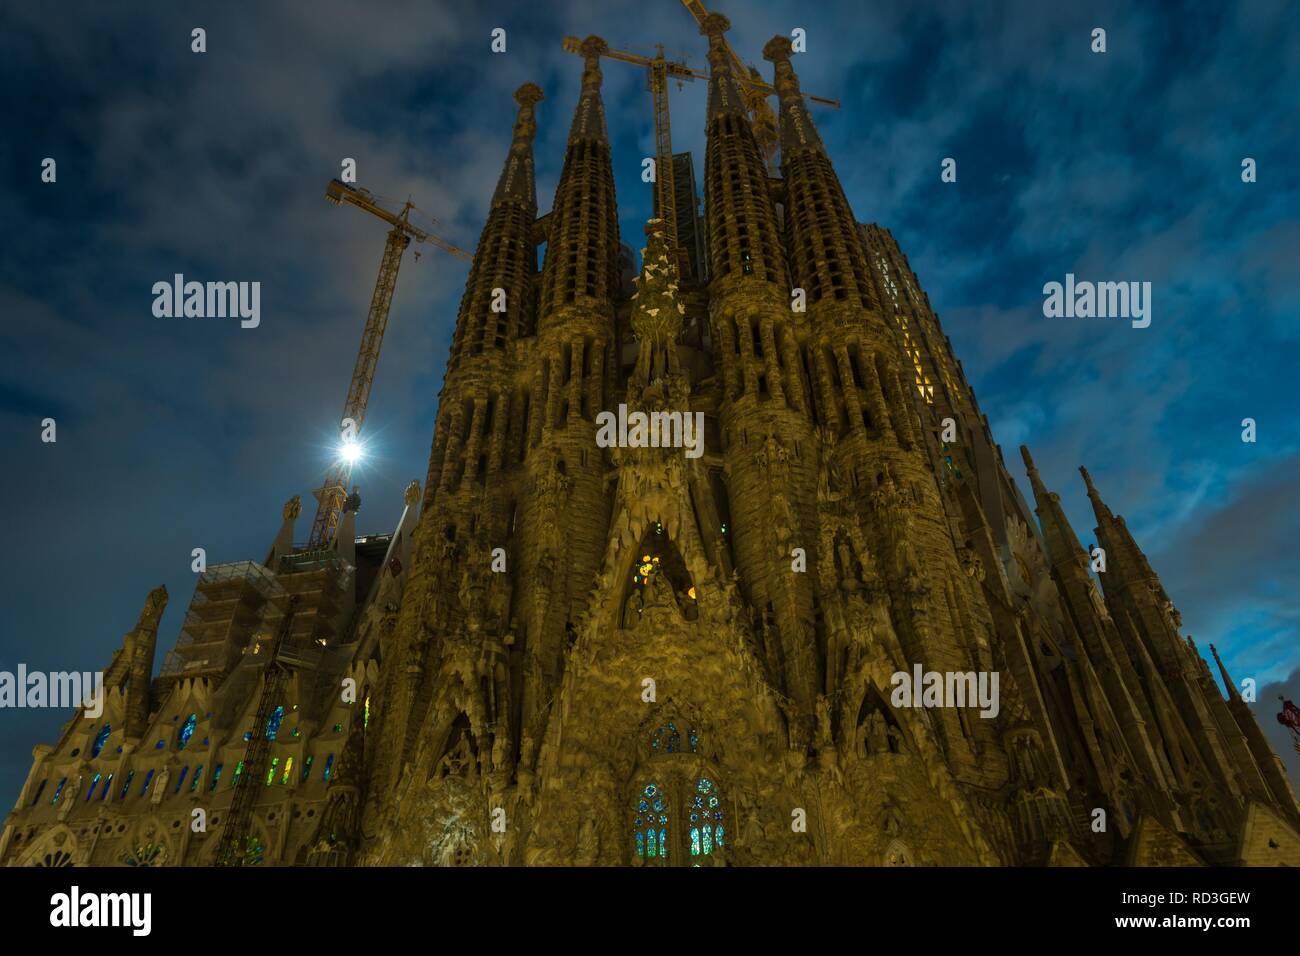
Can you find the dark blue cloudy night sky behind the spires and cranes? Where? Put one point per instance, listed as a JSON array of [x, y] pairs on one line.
[[179, 434]]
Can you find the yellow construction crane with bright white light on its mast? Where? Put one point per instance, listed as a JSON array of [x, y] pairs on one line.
[[332, 495]]
